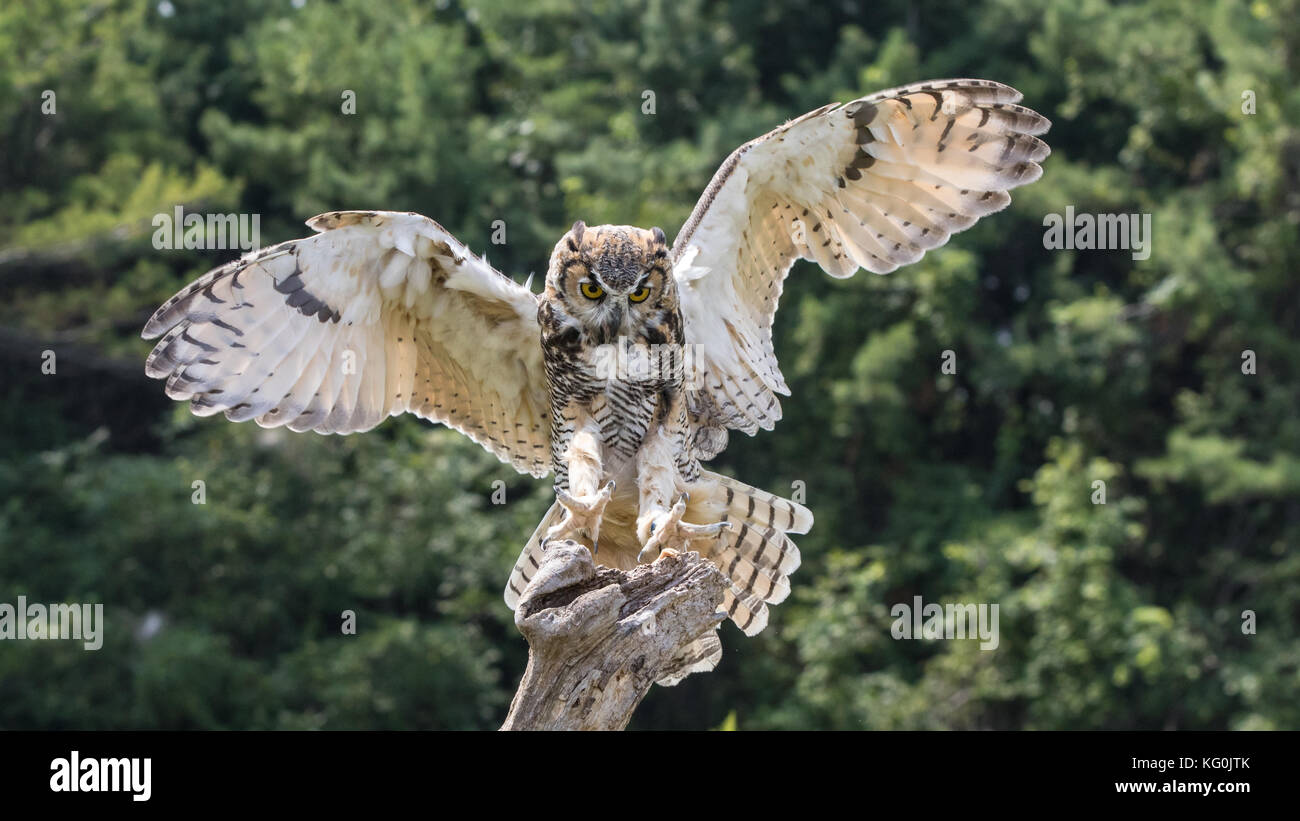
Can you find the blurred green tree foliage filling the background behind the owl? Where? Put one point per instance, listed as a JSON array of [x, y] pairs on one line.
[[1073, 367]]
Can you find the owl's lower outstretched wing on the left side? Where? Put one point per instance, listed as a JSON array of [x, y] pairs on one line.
[[376, 315]]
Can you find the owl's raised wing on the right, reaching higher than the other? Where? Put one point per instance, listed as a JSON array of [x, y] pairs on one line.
[[873, 184]]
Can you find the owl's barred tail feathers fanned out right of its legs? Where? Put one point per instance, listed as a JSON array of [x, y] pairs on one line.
[[757, 554]]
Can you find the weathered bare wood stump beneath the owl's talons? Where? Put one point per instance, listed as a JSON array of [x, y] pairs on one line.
[[599, 638]]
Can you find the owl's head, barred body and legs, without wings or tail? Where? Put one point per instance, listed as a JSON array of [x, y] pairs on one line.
[[617, 360]]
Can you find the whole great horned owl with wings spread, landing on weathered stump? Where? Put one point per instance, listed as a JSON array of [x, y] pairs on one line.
[[627, 373]]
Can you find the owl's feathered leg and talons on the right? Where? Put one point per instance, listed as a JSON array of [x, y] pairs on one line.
[[660, 527]]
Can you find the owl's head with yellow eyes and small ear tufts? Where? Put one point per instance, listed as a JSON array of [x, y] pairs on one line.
[[616, 281]]
